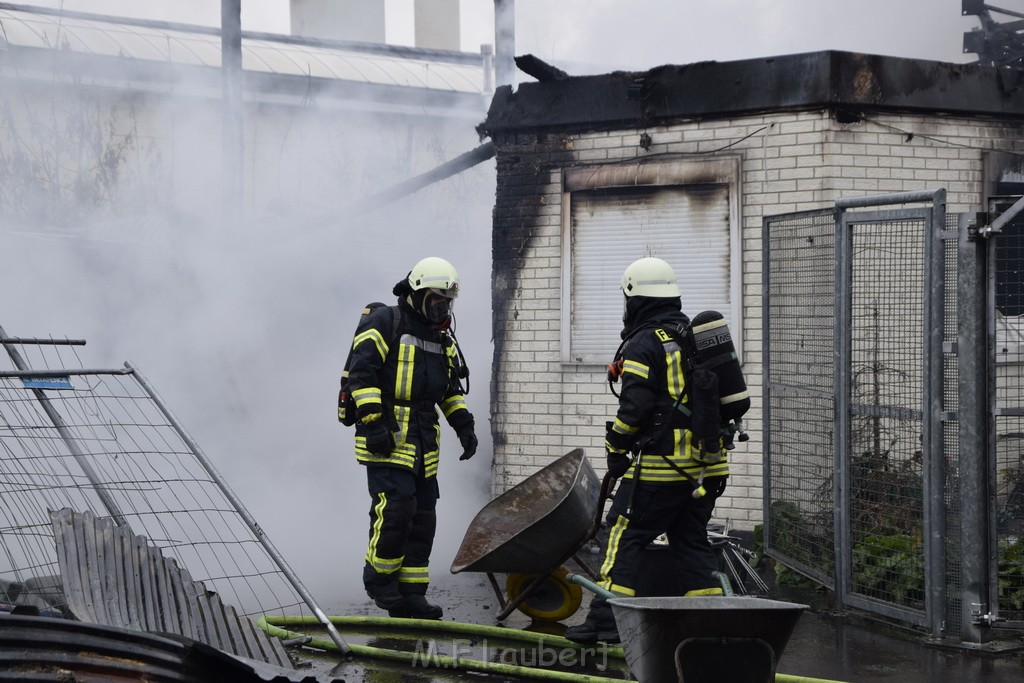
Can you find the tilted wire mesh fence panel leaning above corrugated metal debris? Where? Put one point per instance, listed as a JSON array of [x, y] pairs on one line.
[[105, 443]]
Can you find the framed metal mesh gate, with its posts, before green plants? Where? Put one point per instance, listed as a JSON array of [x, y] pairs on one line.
[[883, 383]]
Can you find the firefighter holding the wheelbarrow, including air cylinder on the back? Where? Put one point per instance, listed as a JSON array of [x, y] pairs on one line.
[[680, 383]]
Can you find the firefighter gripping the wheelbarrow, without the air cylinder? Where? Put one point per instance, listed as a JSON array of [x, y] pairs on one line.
[[656, 495]]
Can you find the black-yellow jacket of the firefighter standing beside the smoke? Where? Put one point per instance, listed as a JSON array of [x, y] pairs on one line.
[[405, 380]]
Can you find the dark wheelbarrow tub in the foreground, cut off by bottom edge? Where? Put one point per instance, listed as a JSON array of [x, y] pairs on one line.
[[652, 629]]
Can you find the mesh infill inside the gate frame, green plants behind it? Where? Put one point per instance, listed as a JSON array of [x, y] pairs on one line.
[[887, 360]]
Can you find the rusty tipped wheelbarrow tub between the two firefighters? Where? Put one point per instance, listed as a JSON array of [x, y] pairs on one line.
[[537, 525]]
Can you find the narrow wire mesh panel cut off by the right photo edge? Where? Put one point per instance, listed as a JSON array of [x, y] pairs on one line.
[[1009, 441]]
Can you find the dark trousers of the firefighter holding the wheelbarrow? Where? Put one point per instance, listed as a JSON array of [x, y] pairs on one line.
[[658, 509]]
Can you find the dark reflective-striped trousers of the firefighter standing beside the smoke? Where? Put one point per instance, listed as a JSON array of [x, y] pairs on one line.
[[403, 522]]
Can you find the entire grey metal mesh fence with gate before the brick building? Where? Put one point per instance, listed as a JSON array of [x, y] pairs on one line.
[[880, 322]]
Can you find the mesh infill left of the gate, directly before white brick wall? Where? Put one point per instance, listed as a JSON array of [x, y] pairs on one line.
[[800, 300]]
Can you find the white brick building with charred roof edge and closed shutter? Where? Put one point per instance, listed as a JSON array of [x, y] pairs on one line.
[[685, 163]]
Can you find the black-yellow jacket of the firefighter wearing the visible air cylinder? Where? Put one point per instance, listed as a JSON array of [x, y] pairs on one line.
[[654, 376]]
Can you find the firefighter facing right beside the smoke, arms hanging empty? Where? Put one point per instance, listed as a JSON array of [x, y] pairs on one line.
[[398, 386]]
